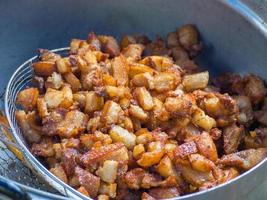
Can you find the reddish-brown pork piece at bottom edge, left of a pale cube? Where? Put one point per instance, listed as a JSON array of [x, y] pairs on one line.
[[89, 181]]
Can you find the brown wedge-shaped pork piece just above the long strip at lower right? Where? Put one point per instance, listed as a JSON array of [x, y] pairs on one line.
[[232, 136]]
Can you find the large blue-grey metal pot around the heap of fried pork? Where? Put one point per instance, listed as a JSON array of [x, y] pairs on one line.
[[234, 34]]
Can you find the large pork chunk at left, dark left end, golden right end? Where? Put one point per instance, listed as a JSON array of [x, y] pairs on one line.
[[65, 124]]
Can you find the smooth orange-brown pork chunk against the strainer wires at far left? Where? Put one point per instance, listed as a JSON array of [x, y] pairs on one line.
[[27, 98]]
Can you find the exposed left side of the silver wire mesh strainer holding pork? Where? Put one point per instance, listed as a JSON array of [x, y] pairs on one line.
[[19, 80]]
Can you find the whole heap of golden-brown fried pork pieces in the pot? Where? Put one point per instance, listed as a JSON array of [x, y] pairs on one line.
[[139, 120]]
